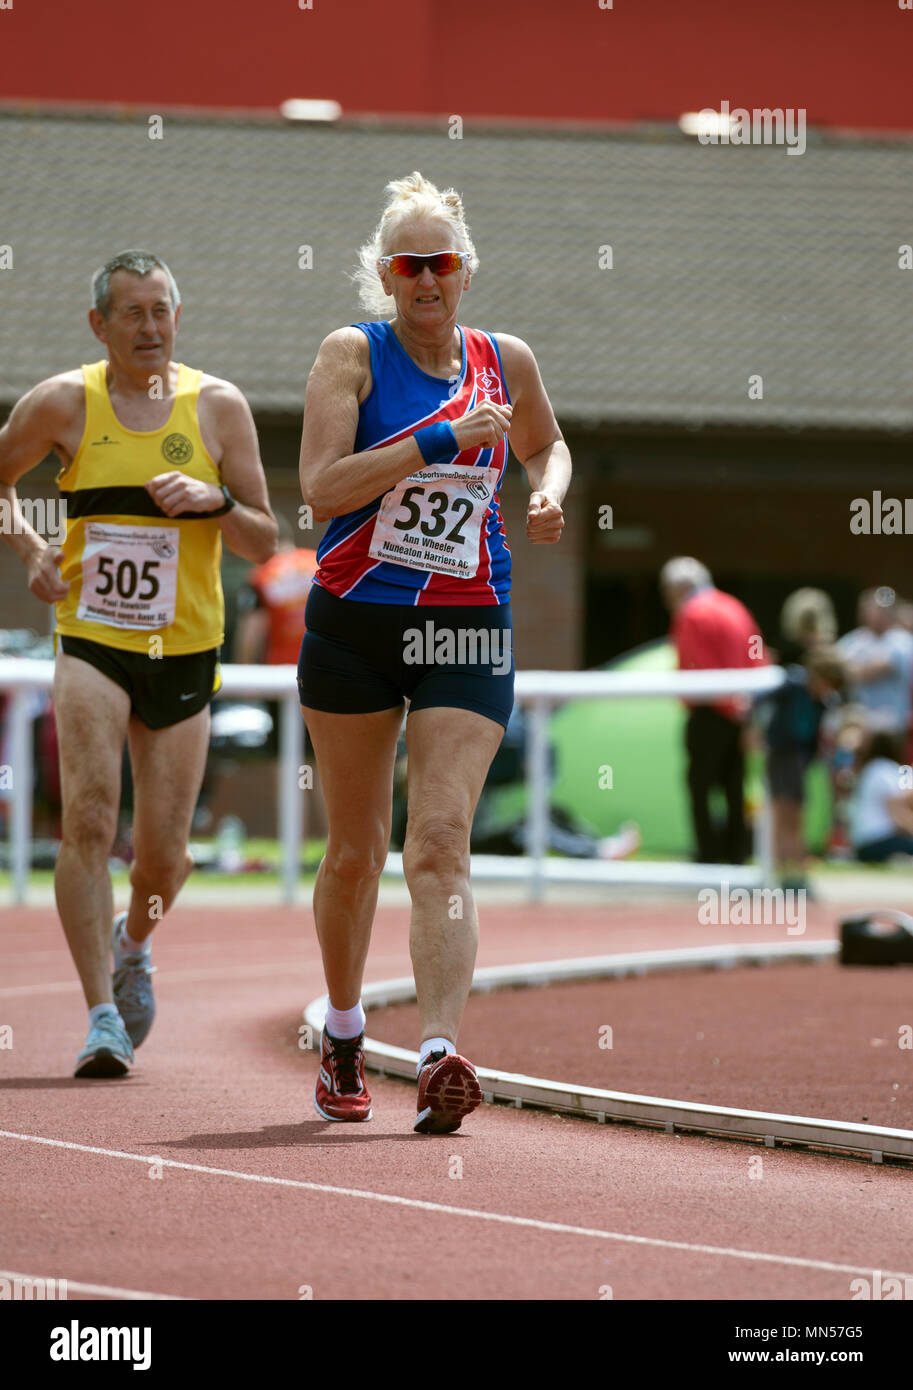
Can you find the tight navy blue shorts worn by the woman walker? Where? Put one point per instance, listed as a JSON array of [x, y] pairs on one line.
[[359, 658]]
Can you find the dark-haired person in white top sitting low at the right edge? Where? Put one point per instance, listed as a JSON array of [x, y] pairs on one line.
[[882, 810]]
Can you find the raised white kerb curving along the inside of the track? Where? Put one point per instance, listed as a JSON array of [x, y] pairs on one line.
[[837, 1138]]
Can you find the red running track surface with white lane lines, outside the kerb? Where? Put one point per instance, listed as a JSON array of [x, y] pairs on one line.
[[208, 1174]]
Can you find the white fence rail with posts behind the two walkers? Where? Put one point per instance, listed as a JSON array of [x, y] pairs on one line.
[[537, 690]]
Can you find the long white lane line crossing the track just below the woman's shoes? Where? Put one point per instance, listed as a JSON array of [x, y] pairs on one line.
[[529, 1223]]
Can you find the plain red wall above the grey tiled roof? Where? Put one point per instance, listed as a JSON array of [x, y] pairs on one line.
[[847, 63]]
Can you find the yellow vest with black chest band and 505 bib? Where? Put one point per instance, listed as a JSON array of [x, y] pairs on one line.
[[138, 579]]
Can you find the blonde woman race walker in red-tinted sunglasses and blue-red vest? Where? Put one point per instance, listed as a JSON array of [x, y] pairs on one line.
[[405, 445]]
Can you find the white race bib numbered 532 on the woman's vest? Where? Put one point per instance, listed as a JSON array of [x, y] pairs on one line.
[[433, 519]]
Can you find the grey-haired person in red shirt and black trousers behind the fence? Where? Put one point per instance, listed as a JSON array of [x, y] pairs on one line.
[[712, 630]]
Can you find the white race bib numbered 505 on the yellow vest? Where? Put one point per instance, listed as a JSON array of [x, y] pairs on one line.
[[130, 575]]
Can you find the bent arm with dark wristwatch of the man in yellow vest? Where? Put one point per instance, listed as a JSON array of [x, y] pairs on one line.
[[249, 529]]
